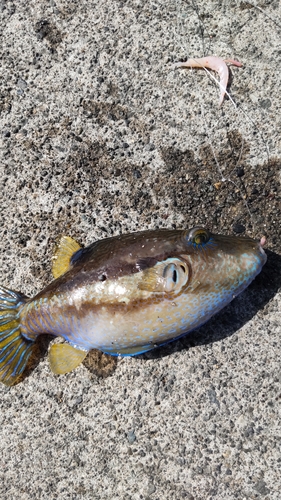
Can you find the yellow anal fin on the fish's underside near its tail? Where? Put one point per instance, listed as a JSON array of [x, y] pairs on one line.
[[64, 358]]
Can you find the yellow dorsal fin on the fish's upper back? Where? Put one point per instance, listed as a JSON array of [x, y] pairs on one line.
[[64, 249]]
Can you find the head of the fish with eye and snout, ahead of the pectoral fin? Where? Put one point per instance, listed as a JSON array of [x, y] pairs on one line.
[[220, 267]]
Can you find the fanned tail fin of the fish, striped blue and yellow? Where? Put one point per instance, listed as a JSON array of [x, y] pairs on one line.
[[15, 349]]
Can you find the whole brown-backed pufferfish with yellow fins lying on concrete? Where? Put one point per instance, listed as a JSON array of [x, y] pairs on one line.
[[125, 295]]
